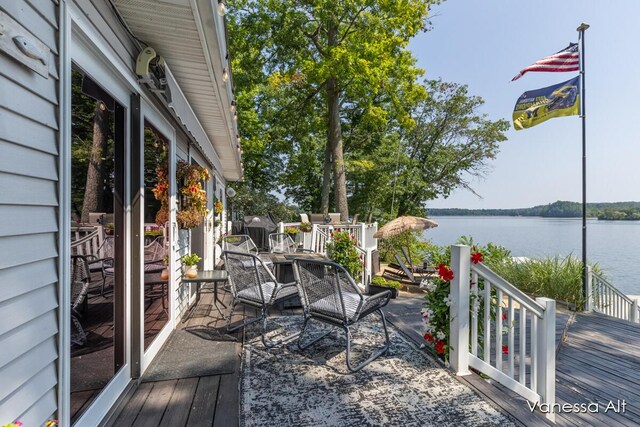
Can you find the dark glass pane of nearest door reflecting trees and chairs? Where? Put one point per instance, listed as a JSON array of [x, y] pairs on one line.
[[97, 241]]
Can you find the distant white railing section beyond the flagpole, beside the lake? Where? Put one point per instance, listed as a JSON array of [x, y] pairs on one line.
[[607, 299]]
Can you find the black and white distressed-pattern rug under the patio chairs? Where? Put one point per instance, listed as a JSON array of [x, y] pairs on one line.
[[405, 387]]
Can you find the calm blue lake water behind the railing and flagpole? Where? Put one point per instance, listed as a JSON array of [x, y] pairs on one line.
[[614, 245]]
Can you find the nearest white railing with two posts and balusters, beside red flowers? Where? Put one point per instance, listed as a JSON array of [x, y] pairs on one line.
[[527, 364]]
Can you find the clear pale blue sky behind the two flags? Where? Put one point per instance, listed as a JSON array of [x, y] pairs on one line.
[[485, 43]]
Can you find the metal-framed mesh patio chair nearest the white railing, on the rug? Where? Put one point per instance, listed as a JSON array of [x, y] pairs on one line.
[[330, 295]]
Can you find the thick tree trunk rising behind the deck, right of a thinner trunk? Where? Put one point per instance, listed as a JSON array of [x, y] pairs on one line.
[[335, 135]]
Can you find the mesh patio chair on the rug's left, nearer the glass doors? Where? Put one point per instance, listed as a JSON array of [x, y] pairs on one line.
[[253, 284]]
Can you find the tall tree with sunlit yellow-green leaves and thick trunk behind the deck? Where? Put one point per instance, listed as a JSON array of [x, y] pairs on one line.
[[322, 59]]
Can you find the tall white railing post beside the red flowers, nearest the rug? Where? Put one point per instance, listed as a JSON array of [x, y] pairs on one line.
[[459, 309]]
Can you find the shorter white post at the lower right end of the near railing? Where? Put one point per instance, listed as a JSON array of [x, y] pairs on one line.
[[546, 383]]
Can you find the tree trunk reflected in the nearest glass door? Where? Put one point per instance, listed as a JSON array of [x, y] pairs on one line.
[[94, 186]]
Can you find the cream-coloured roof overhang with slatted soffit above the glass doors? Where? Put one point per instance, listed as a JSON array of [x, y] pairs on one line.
[[190, 35]]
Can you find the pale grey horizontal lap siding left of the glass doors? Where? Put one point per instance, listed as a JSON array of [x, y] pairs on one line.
[[28, 230]]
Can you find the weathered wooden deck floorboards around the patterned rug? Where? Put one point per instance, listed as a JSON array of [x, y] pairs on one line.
[[597, 361]]
